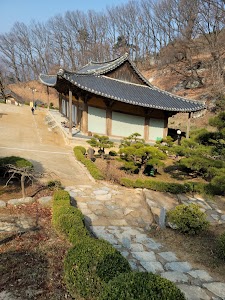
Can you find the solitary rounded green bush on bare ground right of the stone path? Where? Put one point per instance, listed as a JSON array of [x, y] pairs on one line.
[[188, 218]]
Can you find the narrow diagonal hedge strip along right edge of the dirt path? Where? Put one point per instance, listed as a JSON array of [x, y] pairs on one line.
[[94, 171]]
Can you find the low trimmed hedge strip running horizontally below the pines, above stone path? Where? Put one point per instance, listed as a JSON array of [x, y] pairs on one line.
[[174, 188]]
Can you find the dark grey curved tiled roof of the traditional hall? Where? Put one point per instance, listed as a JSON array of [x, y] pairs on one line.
[[92, 78]]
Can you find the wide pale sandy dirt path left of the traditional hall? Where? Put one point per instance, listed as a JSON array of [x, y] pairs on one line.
[[26, 135]]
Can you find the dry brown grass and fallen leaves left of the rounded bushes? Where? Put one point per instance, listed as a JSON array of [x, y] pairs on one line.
[[32, 262]]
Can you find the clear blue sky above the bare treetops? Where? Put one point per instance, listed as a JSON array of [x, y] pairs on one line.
[[41, 10]]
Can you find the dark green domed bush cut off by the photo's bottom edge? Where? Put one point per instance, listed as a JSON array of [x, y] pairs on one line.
[[144, 286]]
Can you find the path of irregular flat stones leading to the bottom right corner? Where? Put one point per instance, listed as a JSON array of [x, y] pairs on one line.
[[121, 217]]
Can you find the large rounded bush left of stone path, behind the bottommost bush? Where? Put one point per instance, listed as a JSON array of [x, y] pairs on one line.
[[89, 265]]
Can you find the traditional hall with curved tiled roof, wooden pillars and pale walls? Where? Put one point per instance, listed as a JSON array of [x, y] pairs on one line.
[[113, 98]]
